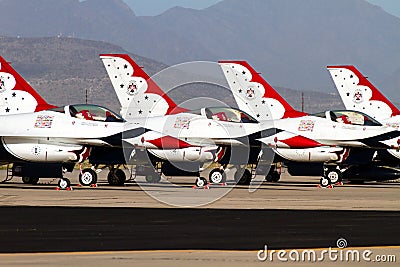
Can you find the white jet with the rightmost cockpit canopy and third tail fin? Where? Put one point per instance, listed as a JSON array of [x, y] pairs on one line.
[[255, 96]]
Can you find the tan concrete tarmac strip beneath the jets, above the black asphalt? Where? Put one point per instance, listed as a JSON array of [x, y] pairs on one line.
[[290, 193]]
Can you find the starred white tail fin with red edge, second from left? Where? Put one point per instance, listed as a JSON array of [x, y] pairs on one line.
[[138, 94]]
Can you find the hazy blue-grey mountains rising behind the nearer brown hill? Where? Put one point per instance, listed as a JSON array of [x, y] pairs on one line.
[[291, 40]]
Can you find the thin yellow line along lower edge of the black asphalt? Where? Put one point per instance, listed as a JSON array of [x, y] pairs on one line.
[[175, 251]]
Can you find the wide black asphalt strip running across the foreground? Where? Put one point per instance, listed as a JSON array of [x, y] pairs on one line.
[[45, 229]]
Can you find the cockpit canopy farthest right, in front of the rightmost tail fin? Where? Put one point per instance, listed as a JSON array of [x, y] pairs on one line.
[[349, 117]]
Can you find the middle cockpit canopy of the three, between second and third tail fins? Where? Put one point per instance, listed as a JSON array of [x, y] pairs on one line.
[[225, 114]]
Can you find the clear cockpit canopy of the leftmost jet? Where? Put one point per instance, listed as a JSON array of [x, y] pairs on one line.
[[90, 112]]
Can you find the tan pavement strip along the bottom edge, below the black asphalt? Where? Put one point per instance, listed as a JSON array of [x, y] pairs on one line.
[[195, 258]]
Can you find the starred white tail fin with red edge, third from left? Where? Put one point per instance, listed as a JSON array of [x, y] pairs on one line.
[[253, 94]]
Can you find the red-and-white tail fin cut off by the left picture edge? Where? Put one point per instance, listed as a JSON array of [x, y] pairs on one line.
[[16, 95]]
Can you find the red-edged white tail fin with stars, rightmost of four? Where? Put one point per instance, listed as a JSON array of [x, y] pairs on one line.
[[359, 94]]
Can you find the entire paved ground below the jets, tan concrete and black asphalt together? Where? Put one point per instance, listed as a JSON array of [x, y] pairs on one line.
[[293, 213]]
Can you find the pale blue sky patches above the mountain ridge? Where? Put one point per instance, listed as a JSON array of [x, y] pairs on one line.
[[156, 7]]
